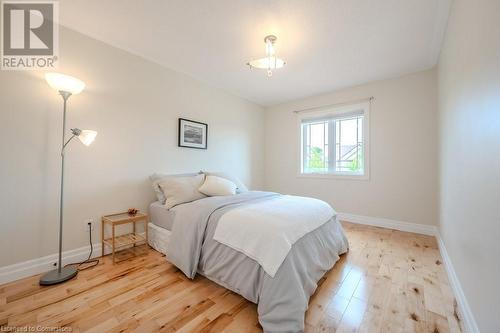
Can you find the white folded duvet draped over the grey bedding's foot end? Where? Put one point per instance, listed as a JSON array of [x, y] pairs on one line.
[[265, 231]]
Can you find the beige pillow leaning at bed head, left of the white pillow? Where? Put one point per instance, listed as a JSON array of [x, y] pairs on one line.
[[178, 190]]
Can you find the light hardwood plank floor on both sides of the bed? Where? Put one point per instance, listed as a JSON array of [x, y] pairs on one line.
[[390, 281]]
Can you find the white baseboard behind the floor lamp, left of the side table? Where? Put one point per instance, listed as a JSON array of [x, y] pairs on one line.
[[45, 264]]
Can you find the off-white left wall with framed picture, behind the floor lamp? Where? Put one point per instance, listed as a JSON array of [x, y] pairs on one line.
[[134, 105]]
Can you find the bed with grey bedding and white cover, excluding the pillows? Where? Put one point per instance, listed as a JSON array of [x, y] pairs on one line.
[[223, 239]]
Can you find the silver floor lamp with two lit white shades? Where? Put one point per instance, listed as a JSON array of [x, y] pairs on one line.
[[66, 86]]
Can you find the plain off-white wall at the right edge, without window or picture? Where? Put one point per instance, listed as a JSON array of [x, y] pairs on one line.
[[469, 107]]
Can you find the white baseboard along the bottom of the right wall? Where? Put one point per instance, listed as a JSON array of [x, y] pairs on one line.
[[468, 321]]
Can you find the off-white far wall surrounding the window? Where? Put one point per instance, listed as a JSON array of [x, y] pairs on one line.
[[403, 164]]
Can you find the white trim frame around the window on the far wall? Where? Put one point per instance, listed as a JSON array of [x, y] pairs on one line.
[[336, 111]]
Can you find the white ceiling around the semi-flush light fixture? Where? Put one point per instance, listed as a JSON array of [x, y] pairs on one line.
[[327, 45]]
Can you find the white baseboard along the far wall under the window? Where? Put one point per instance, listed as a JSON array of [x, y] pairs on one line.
[[389, 224]]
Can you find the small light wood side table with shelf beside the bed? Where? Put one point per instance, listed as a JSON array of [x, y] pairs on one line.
[[116, 242]]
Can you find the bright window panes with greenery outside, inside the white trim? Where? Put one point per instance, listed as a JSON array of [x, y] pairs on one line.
[[334, 141]]
